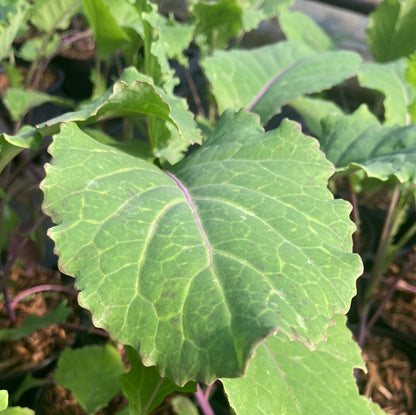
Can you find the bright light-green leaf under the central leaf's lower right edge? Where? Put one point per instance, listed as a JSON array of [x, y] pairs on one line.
[[291, 379]]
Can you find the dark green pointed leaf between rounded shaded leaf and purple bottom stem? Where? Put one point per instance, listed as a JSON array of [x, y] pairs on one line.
[[144, 387]]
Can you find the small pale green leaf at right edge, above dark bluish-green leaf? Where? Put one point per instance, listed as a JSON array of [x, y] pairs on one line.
[[390, 79]]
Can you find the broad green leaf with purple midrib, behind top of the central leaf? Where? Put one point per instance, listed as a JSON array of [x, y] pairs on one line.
[[267, 78]]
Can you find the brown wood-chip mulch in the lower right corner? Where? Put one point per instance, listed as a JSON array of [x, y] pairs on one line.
[[390, 354]]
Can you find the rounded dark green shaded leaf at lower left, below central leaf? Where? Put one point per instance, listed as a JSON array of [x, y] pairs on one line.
[[91, 374]]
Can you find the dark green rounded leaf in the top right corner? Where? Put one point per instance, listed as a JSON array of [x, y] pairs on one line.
[[391, 31]]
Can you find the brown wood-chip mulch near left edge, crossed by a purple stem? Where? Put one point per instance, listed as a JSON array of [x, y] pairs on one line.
[[42, 344]]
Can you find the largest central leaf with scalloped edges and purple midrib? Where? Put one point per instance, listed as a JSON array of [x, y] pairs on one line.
[[193, 267]]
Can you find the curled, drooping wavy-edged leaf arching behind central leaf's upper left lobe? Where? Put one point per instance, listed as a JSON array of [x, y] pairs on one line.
[[173, 125]]
